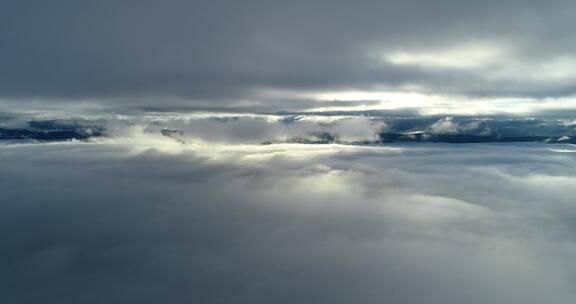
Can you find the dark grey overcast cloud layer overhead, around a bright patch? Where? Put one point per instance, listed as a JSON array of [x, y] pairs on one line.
[[217, 52]]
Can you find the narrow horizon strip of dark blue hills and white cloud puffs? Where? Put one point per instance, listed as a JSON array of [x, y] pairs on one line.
[[322, 127]]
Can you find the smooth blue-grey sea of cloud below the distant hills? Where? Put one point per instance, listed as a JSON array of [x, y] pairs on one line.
[[100, 223]]
